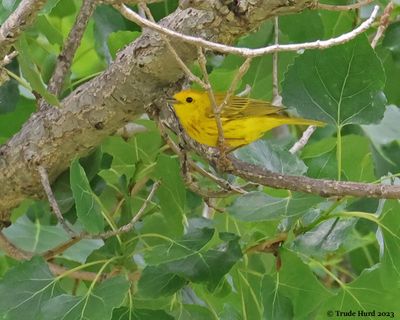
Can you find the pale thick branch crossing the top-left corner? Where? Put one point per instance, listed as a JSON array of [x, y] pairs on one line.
[[20, 19]]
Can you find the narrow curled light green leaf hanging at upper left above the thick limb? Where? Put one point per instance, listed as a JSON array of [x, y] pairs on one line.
[[30, 72]]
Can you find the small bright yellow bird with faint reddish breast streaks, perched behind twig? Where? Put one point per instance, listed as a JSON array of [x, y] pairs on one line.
[[244, 120]]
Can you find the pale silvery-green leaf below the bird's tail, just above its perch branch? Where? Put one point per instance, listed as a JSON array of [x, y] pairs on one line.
[[272, 157]]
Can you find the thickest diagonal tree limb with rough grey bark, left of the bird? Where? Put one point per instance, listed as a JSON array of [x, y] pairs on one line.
[[143, 73]]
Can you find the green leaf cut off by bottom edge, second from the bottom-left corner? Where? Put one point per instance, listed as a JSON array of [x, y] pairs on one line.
[[96, 304]]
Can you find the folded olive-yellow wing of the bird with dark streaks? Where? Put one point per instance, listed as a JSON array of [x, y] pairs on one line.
[[241, 107]]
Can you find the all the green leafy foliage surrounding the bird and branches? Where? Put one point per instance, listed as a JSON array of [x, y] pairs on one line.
[[338, 254]]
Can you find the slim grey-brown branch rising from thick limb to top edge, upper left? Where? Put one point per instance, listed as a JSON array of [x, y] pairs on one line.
[[71, 44]]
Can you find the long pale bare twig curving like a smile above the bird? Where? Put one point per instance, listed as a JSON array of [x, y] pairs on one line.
[[247, 52]]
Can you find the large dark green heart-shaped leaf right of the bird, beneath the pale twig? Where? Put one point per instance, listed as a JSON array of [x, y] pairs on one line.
[[339, 85]]
